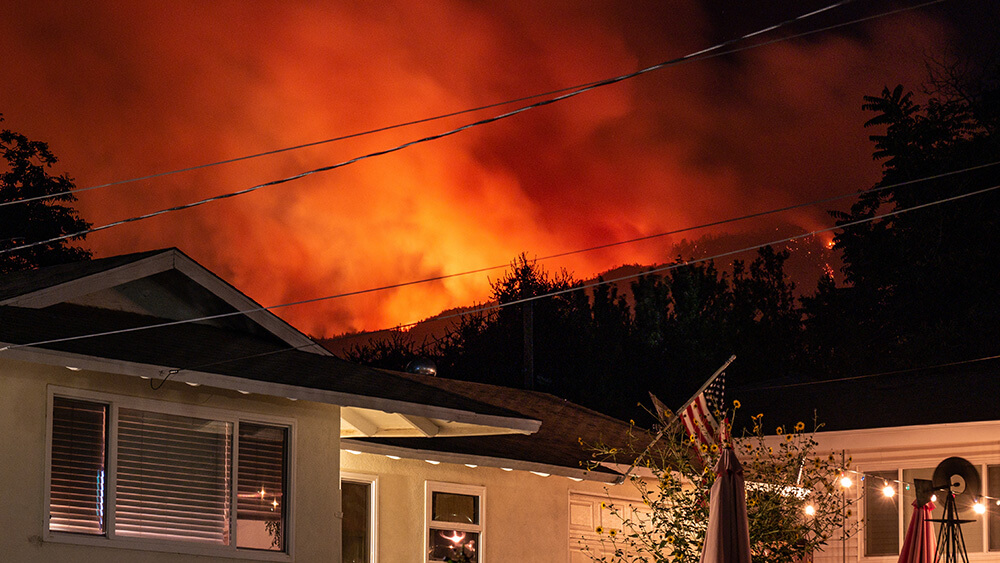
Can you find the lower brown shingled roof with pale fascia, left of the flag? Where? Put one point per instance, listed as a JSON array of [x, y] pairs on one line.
[[555, 449]]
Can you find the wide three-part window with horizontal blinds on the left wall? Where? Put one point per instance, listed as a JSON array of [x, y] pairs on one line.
[[142, 473]]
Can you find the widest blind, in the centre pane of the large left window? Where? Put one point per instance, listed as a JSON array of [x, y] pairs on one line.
[[173, 477]]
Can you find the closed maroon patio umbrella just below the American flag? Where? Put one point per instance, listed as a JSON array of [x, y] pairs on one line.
[[727, 539]]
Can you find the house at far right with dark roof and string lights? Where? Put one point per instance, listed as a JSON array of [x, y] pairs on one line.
[[895, 428]]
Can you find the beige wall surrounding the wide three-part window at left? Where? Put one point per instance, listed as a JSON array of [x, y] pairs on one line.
[[315, 531]]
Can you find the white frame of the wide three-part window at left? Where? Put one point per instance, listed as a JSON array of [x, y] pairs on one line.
[[109, 539]]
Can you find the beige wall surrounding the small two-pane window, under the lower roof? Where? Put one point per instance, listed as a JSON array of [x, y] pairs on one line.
[[527, 517]]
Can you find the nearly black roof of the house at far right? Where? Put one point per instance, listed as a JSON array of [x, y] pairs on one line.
[[942, 395]]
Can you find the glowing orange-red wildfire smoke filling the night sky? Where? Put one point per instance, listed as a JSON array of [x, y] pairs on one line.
[[122, 90]]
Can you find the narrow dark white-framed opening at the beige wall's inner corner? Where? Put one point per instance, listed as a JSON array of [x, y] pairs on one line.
[[358, 502]]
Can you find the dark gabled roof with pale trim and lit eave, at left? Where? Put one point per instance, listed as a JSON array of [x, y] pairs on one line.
[[256, 352]]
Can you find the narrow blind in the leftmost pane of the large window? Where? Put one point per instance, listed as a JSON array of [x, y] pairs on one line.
[[76, 492]]
